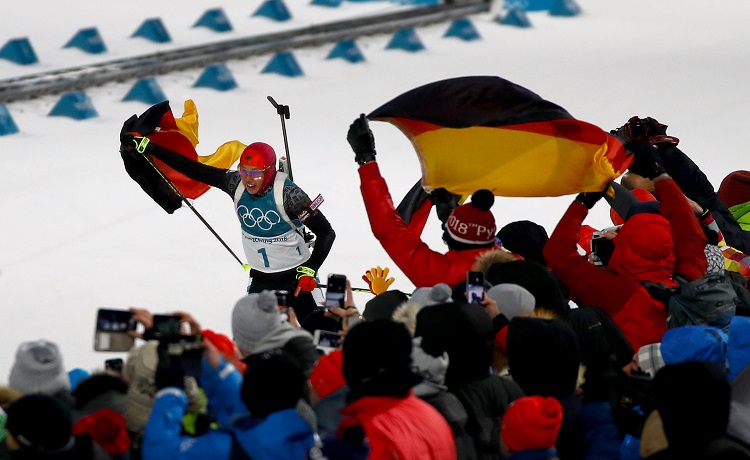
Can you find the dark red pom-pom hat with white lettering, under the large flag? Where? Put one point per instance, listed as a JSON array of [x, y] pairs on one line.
[[473, 223]]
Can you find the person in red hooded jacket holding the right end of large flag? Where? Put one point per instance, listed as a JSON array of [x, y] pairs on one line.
[[648, 247]]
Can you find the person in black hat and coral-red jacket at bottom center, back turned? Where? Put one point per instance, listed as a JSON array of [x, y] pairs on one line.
[[396, 423]]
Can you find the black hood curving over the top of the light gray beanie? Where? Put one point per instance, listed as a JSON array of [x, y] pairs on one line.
[[533, 276]]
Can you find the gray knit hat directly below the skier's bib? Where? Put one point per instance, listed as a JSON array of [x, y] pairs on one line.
[[253, 317]]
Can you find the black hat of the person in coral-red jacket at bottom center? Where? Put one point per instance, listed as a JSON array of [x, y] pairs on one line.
[[377, 359]]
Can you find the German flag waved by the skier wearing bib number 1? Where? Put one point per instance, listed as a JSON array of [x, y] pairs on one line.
[[179, 135]]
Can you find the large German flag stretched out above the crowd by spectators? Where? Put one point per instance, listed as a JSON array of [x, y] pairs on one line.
[[486, 132]]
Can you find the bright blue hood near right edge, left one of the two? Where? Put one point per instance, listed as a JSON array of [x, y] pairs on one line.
[[694, 343]]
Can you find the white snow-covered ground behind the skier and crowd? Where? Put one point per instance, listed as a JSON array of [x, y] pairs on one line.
[[77, 234]]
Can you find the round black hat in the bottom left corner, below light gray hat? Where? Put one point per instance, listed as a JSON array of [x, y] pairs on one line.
[[40, 422]]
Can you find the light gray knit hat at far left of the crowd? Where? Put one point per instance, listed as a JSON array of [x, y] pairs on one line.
[[39, 369]]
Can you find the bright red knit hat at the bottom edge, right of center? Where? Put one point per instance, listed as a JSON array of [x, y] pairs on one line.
[[532, 423]]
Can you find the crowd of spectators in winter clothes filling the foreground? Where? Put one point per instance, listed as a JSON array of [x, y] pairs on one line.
[[630, 342]]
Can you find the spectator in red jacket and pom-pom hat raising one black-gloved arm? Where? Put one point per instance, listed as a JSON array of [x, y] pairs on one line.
[[469, 229]]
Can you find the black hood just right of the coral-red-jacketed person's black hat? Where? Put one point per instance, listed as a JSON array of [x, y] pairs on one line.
[[464, 331]]
